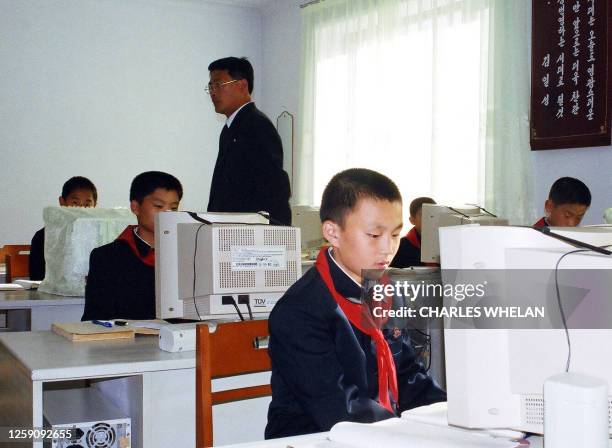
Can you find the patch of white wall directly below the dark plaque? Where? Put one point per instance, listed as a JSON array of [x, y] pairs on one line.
[[591, 165]]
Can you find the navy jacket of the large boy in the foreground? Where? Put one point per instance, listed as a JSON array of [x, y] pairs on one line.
[[324, 370]]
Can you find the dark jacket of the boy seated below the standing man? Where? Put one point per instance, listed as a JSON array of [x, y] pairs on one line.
[[119, 285]]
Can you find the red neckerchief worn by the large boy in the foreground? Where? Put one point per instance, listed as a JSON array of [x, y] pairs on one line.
[[387, 378]]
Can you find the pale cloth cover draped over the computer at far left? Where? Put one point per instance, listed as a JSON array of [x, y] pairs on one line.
[[71, 233]]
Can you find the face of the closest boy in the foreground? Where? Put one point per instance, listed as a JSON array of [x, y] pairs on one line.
[[369, 238]]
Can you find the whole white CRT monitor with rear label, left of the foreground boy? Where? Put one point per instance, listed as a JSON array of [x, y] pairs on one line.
[[204, 271]]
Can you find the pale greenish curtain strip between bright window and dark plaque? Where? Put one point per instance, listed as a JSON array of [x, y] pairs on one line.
[[509, 179]]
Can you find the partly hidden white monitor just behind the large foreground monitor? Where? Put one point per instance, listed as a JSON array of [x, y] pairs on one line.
[[435, 216]]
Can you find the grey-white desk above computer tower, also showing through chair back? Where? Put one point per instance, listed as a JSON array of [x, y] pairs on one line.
[[156, 388]]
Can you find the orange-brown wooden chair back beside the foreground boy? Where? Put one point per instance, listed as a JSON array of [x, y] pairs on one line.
[[233, 348]]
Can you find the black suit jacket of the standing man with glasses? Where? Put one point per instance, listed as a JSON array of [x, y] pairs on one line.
[[249, 175]]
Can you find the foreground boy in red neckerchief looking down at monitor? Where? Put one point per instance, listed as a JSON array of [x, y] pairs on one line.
[[328, 367]]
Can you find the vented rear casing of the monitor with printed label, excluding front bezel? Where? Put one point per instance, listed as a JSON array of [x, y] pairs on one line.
[[229, 269]]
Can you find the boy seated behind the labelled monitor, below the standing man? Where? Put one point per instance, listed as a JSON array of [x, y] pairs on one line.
[[121, 279]]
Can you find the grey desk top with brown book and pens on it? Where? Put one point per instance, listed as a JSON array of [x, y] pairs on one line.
[[47, 356]]
